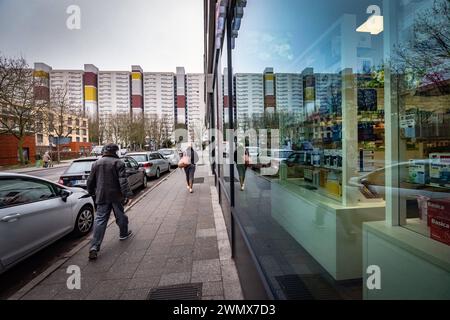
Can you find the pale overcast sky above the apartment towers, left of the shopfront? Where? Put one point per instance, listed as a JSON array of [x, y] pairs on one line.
[[115, 34]]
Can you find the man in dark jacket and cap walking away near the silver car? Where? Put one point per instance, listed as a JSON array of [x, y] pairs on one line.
[[108, 182]]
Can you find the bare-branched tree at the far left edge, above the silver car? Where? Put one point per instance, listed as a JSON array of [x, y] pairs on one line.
[[20, 108]]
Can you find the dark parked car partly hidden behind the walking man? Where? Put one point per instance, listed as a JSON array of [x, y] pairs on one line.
[[77, 174]]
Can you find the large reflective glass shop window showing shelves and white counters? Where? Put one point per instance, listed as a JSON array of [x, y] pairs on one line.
[[317, 164]]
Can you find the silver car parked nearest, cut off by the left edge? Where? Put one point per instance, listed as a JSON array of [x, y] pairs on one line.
[[35, 212]]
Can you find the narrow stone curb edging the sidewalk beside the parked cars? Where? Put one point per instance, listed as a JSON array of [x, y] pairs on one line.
[[55, 266]]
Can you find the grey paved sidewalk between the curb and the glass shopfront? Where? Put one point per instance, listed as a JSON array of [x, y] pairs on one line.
[[179, 238]]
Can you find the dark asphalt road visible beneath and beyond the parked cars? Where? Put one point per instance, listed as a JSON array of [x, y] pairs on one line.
[[22, 273]]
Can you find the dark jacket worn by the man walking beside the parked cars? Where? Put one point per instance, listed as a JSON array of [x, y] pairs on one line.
[[108, 180]]
